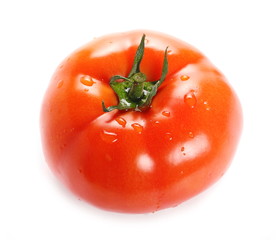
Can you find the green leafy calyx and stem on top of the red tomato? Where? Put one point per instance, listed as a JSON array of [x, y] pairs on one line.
[[133, 91]]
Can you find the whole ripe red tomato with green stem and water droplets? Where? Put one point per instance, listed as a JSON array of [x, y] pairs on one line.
[[136, 123]]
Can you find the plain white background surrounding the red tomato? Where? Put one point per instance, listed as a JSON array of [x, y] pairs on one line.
[[237, 36]]
